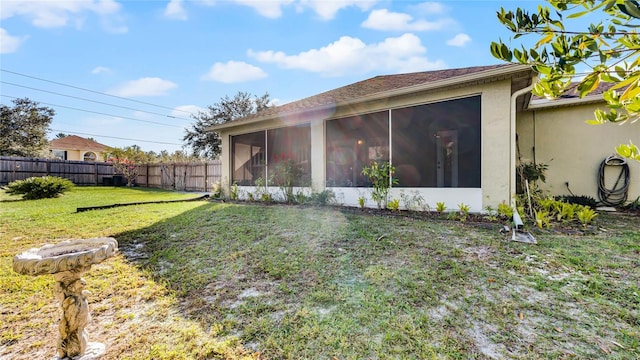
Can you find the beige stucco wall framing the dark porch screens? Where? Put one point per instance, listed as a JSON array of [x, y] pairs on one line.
[[495, 107]]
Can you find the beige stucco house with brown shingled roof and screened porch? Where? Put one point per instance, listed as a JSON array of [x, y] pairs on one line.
[[451, 134]]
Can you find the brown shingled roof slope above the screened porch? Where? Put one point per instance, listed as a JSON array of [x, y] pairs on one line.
[[366, 89]]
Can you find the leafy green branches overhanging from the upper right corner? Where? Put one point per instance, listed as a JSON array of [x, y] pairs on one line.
[[609, 50]]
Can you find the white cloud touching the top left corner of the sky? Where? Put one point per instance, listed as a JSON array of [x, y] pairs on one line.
[[53, 14]]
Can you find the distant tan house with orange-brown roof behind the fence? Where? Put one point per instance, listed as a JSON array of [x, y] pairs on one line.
[[77, 148]]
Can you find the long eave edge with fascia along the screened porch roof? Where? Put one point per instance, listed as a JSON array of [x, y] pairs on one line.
[[487, 74]]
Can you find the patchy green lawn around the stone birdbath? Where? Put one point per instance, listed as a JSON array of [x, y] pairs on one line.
[[201, 280]]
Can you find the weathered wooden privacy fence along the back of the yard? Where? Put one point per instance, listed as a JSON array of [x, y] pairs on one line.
[[176, 176]]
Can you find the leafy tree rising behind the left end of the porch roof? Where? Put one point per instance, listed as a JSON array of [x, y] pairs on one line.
[[207, 144]]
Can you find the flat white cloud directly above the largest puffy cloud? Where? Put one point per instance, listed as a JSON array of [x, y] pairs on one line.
[[386, 20]]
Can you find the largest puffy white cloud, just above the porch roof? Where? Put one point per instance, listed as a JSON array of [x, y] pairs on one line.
[[350, 55]]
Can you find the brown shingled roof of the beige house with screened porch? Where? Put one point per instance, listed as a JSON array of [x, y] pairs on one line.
[[380, 87]]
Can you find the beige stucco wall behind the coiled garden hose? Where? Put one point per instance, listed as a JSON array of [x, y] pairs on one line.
[[573, 149]]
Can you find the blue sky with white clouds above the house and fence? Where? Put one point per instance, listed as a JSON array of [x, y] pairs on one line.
[[173, 58]]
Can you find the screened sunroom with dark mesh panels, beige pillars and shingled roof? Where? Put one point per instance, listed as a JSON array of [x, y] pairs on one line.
[[449, 134]]
